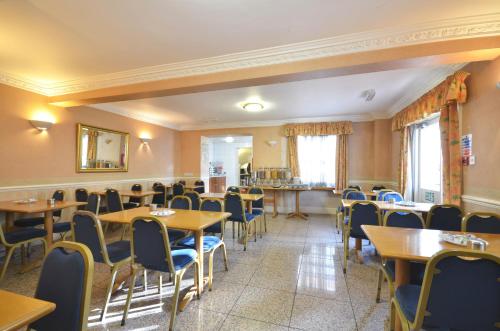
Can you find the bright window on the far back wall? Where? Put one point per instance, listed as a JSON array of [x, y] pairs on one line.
[[316, 156]]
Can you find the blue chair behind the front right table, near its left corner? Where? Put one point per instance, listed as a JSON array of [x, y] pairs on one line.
[[401, 219]]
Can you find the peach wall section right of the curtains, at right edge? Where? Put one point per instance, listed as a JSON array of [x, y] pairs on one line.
[[481, 118]]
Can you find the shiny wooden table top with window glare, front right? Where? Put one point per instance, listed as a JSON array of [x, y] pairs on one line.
[[417, 244]]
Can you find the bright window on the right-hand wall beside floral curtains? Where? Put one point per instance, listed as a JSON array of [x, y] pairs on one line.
[[426, 164]]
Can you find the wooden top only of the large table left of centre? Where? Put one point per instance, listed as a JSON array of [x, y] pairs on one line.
[[192, 220]]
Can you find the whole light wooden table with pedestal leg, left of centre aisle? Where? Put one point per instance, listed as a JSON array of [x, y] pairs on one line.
[[190, 220]]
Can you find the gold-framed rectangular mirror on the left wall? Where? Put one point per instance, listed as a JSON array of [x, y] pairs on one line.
[[101, 150]]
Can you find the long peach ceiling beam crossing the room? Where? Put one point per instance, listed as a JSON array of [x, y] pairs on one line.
[[430, 54]]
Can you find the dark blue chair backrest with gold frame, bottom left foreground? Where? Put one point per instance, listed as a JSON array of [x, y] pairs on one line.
[[66, 280]]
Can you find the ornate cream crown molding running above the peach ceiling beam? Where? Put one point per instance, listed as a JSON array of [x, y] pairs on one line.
[[441, 30]]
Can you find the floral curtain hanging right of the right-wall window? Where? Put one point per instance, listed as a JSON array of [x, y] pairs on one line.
[[450, 147]]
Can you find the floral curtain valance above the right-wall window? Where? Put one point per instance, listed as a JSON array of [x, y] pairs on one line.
[[453, 88]]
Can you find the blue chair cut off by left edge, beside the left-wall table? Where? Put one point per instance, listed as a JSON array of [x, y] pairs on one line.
[[19, 238]]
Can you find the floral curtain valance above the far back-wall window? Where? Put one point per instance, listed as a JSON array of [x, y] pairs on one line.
[[317, 129]]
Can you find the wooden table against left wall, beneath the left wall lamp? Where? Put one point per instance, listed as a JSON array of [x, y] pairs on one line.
[[12, 207]]
